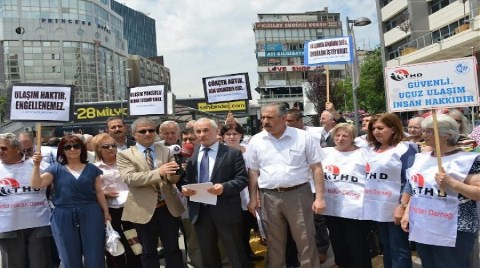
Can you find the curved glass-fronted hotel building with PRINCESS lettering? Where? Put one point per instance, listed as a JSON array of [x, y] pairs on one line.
[[73, 42]]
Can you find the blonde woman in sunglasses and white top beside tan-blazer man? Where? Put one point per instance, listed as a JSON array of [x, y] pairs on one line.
[[115, 191]]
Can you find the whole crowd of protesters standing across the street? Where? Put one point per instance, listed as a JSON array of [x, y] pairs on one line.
[[302, 188]]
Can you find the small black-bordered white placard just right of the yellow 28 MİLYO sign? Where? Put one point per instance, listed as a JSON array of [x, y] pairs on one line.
[[147, 100]]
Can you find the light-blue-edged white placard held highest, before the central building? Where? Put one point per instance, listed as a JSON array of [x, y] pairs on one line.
[[328, 51]]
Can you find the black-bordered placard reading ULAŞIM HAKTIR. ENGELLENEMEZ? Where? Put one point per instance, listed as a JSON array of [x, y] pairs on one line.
[[41, 102]]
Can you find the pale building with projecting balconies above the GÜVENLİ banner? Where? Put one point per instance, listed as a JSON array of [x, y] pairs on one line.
[[423, 31]]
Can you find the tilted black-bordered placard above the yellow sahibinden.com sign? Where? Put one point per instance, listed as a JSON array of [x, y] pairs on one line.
[[226, 88]]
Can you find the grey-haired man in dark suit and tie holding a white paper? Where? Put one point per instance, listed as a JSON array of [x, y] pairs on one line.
[[225, 168]]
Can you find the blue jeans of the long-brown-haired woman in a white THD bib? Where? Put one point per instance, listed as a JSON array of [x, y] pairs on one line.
[[396, 248]]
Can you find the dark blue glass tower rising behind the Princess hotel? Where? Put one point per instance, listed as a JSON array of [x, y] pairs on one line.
[[138, 29]]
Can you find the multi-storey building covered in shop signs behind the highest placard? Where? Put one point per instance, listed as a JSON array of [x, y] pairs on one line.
[[279, 40]]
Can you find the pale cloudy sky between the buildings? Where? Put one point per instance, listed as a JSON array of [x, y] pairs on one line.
[[211, 37]]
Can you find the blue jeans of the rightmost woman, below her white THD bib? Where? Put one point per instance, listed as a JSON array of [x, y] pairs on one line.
[[439, 257]]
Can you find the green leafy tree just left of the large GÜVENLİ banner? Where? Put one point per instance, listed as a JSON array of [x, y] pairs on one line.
[[371, 93]]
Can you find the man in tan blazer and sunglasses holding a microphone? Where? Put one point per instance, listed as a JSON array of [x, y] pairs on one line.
[[152, 203]]
